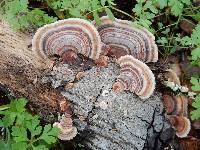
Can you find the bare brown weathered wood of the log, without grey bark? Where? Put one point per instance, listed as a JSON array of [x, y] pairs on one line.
[[21, 70]]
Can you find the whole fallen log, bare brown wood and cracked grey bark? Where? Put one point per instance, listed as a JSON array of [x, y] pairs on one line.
[[105, 119]]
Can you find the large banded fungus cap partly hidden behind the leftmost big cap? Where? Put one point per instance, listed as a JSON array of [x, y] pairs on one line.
[[126, 40]]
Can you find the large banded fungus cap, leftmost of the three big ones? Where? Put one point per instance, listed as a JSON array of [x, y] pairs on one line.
[[70, 34]]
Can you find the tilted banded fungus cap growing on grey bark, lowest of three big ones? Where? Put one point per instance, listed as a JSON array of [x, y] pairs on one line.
[[134, 76]]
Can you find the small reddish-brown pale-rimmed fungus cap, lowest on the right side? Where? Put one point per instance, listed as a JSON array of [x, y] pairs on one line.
[[181, 124]]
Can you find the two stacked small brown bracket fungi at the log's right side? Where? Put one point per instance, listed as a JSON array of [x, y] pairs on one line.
[[176, 109]]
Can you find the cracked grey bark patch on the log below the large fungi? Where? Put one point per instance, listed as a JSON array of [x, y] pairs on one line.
[[113, 120]]
